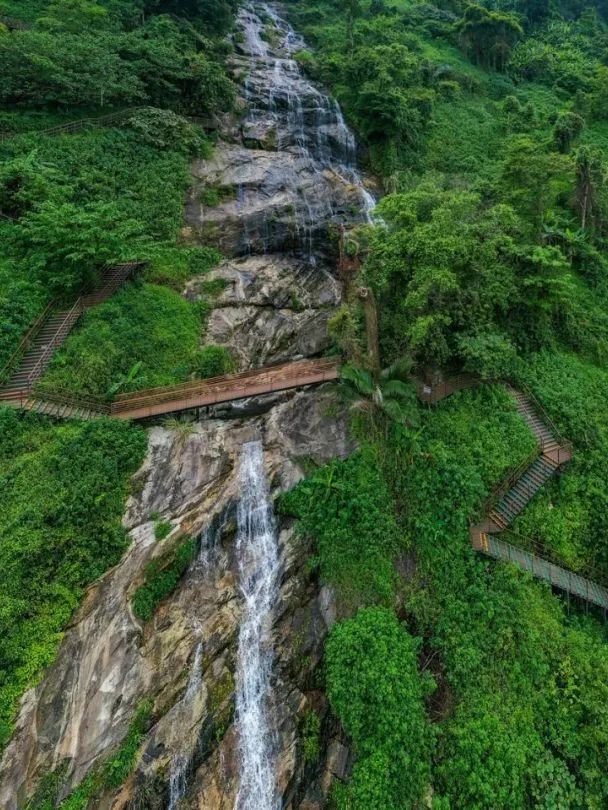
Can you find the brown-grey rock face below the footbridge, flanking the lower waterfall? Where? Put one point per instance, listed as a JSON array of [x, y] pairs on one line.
[[109, 662]]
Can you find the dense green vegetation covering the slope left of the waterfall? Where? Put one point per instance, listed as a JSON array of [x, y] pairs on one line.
[[71, 202]]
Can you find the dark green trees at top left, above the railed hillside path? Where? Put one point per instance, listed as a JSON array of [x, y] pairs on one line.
[[71, 58]]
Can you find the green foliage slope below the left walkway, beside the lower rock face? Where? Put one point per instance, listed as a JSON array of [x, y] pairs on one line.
[[61, 493]]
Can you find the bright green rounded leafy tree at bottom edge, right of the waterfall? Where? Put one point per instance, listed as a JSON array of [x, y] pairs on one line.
[[374, 686]]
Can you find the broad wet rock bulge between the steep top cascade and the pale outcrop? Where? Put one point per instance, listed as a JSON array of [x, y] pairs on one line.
[[274, 201]]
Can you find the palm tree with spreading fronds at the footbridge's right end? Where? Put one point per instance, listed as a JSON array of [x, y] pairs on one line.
[[390, 394]]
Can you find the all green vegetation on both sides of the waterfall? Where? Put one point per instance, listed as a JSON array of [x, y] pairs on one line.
[[459, 683]]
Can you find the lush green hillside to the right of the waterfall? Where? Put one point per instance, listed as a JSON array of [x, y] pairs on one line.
[[487, 127]]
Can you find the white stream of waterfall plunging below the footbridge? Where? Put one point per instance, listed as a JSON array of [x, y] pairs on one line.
[[258, 562]]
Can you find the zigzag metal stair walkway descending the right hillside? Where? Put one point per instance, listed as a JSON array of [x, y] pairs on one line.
[[513, 494]]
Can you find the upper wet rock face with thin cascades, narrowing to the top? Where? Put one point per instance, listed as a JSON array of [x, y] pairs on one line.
[[289, 173]]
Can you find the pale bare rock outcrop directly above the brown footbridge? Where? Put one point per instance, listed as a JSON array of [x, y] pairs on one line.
[[272, 308]]
